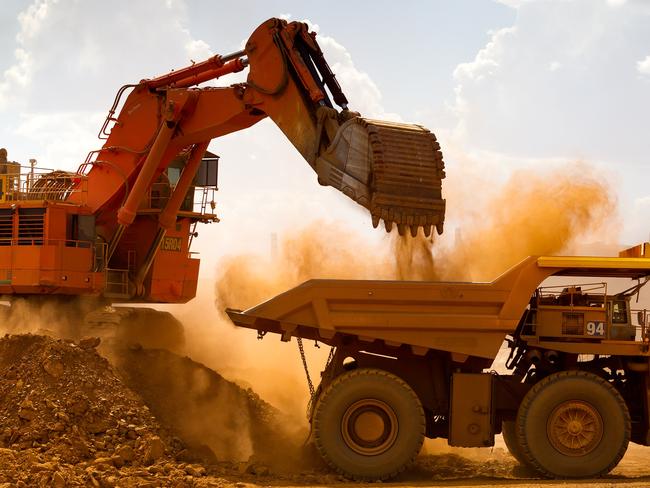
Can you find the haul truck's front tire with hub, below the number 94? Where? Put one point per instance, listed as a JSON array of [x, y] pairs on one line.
[[573, 424]]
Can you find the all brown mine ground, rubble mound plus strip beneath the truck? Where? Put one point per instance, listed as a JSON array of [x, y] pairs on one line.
[[76, 414]]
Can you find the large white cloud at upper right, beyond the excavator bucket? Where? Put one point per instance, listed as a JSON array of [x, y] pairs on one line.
[[557, 85]]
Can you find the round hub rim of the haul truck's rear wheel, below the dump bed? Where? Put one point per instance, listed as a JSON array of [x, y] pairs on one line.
[[369, 427]]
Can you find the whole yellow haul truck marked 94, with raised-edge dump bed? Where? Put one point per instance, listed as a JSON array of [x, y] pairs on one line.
[[414, 359]]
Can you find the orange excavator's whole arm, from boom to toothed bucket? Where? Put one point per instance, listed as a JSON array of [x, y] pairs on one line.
[[392, 169]]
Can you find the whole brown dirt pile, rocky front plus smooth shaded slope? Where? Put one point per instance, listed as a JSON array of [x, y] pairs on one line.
[[69, 418]]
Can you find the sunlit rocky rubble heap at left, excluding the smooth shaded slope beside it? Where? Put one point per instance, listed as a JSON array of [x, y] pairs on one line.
[[68, 419]]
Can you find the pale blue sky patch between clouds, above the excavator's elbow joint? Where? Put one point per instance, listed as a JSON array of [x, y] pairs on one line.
[[401, 45]]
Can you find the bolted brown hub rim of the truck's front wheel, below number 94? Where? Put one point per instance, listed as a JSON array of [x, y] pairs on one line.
[[575, 428]]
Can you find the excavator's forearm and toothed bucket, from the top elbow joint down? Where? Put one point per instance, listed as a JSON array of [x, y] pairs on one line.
[[394, 170]]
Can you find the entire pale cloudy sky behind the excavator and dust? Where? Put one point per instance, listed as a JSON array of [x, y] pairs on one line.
[[507, 85]]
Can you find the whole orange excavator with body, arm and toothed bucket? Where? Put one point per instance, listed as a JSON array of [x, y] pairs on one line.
[[120, 228]]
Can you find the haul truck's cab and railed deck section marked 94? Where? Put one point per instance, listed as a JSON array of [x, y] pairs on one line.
[[578, 312]]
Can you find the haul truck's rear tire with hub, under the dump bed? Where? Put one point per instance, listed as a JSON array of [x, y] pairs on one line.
[[368, 424]]
